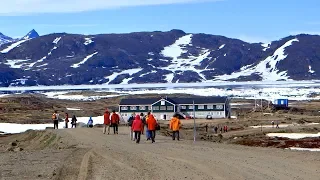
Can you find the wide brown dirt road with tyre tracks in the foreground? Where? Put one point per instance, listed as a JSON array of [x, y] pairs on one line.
[[101, 156]]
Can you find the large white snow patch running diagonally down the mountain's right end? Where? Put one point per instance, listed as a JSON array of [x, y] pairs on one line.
[[268, 73]]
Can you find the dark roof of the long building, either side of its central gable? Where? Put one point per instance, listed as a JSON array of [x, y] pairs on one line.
[[176, 100]]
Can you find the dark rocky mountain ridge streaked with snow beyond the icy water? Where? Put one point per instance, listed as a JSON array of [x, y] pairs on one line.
[[155, 57]]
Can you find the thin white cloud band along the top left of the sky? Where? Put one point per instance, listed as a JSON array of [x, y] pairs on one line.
[[18, 7]]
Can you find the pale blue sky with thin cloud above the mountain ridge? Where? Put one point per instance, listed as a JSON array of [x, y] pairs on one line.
[[250, 20]]
